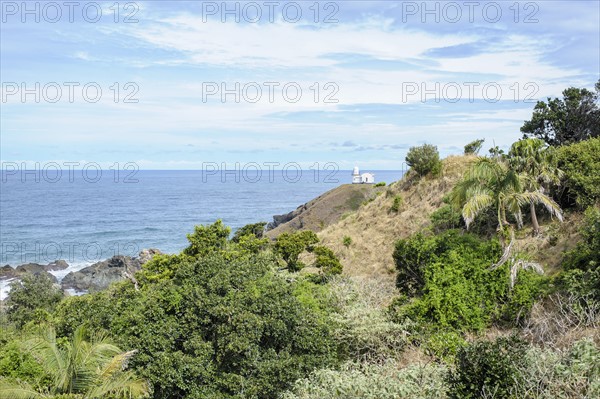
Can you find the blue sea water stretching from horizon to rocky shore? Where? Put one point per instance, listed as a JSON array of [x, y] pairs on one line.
[[82, 218]]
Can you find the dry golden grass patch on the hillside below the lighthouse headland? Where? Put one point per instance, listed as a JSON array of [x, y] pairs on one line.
[[374, 228]]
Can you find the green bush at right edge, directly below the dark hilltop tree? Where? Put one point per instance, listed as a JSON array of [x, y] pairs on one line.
[[581, 164]]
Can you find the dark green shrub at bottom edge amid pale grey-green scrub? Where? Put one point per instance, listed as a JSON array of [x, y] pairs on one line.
[[488, 369]]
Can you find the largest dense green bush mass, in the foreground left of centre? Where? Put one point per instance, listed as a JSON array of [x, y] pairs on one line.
[[219, 326]]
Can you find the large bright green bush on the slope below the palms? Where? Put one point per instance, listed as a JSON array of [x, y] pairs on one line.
[[451, 283]]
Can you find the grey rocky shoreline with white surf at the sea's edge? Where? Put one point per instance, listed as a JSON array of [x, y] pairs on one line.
[[95, 277]]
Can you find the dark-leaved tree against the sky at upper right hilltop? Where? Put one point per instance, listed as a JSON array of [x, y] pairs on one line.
[[573, 118]]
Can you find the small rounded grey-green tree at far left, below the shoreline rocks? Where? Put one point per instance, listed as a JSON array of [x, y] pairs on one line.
[[31, 297]]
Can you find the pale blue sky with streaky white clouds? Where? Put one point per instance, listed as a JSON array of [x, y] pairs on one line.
[[178, 84]]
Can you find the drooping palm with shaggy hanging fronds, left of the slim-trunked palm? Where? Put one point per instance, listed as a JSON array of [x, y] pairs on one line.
[[491, 182]]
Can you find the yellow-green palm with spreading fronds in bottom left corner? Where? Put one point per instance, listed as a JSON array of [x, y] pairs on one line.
[[80, 368]]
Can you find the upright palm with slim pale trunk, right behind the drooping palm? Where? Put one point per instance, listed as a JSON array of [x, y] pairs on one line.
[[534, 158]]
